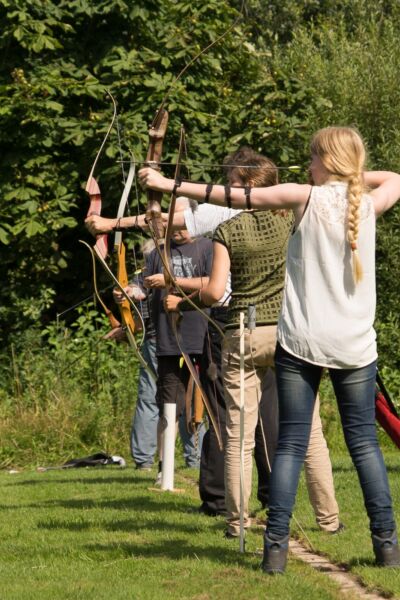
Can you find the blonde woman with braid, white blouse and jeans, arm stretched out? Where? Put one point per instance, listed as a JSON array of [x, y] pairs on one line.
[[326, 321]]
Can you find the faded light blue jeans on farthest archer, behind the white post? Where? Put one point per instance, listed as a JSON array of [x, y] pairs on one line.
[[144, 423]]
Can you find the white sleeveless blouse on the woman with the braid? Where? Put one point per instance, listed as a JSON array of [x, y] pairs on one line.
[[325, 318]]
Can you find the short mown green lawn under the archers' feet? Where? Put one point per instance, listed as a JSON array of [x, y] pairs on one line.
[[102, 534]]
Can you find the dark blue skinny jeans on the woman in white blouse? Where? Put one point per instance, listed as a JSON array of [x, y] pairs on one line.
[[298, 383]]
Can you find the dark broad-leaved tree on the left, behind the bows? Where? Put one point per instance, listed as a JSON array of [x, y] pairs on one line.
[[58, 60]]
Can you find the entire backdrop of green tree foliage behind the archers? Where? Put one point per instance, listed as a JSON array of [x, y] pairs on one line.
[[286, 69]]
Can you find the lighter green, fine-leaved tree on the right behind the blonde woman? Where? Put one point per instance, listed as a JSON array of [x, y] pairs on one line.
[[356, 73]]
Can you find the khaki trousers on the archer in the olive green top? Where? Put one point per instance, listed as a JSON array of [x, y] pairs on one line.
[[259, 378]]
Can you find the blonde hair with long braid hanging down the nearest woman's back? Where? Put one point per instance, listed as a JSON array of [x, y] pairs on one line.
[[342, 153]]
